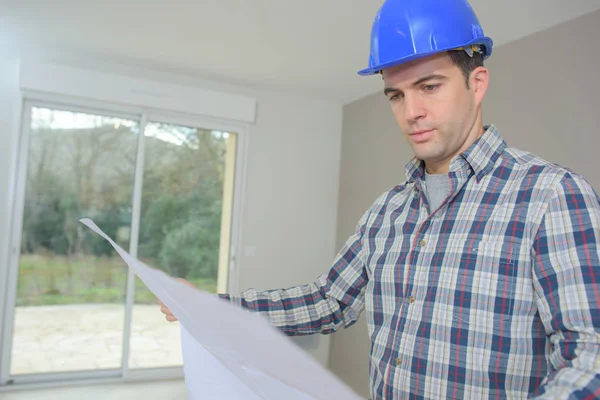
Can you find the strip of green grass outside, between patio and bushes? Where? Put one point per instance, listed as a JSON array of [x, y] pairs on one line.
[[55, 280]]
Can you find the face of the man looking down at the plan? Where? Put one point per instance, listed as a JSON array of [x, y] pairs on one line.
[[439, 116]]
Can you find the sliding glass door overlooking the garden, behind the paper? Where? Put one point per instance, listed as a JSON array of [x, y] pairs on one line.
[[163, 188]]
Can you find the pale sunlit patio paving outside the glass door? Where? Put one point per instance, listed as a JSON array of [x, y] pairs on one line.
[[82, 337]]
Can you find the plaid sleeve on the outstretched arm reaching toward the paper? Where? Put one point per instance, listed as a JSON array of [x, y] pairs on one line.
[[334, 300]]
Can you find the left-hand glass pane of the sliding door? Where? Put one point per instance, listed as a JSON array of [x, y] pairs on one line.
[[71, 285]]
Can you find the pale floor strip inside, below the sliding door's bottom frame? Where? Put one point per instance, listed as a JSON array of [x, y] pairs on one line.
[[164, 390]]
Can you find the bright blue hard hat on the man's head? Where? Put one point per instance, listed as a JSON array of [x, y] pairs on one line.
[[405, 30]]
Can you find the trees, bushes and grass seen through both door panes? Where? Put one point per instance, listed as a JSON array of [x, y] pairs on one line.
[[89, 173]]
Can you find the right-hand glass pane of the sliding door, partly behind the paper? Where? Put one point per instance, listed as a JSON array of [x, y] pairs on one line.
[[186, 175]]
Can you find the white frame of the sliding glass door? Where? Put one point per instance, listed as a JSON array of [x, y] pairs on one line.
[[40, 98]]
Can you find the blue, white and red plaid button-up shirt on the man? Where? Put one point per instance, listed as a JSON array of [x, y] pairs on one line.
[[492, 295]]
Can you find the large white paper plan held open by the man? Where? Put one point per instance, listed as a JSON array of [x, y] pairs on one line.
[[231, 353]]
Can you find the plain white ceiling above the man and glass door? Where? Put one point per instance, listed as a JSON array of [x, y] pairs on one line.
[[309, 47]]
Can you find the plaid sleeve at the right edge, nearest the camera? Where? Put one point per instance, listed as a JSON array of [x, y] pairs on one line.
[[566, 275]]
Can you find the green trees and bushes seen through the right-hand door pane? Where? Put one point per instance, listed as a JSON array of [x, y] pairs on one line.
[[181, 218]]
